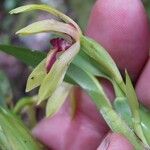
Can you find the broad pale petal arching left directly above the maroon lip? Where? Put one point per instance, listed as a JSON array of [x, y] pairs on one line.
[[47, 26]]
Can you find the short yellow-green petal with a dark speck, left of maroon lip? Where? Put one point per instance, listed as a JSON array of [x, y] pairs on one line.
[[36, 77]]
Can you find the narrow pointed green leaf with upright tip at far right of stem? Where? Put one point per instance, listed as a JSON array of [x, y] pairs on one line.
[[134, 106]]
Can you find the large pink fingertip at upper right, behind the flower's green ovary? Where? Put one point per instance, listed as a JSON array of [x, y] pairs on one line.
[[121, 27]]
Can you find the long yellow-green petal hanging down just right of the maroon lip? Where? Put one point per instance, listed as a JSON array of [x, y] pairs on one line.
[[56, 75]]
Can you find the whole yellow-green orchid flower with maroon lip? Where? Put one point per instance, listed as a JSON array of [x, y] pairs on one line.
[[49, 74]]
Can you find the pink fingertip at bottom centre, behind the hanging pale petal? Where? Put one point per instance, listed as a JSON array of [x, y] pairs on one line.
[[84, 131]]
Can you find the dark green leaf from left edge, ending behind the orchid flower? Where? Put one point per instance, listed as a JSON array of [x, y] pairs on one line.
[[31, 58]]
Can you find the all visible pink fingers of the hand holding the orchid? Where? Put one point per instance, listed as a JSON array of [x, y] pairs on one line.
[[121, 27]]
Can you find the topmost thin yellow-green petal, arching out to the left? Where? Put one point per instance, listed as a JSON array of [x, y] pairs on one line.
[[47, 8]]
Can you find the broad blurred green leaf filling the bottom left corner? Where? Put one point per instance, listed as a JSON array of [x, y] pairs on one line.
[[14, 135]]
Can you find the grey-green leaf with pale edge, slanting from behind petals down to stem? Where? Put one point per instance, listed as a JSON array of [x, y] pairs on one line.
[[90, 84]]
